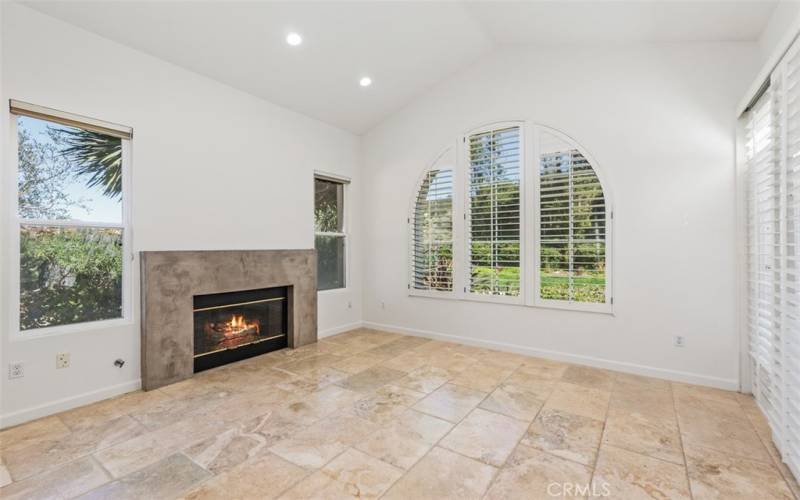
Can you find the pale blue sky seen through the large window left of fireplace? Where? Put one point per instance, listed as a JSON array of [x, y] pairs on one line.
[[88, 203]]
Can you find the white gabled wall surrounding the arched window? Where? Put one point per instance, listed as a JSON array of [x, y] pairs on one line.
[[659, 120]]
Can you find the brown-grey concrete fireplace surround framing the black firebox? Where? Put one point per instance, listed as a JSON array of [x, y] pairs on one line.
[[171, 279]]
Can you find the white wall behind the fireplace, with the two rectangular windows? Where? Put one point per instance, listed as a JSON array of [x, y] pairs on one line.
[[194, 140]]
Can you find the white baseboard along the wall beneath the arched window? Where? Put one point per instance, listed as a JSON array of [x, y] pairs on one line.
[[648, 371]]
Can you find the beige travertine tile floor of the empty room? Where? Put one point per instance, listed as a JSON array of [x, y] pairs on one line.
[[373, 414]]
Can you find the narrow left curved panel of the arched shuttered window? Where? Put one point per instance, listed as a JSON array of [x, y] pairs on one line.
[[432, 229]]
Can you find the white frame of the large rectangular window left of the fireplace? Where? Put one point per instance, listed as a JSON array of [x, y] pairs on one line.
[[14, 224]]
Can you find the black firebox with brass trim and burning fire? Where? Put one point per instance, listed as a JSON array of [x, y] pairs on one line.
[[237, 325]]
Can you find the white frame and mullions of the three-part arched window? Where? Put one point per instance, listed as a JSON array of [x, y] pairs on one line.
[[530, 251]]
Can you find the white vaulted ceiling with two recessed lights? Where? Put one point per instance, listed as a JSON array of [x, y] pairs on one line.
[[405, 47]]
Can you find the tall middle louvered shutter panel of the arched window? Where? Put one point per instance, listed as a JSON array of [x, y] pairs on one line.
[[493, 216]]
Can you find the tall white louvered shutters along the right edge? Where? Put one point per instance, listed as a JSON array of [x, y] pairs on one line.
[[772, 174]]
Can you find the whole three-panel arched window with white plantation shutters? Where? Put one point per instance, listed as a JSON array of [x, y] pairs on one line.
[[530, 225]]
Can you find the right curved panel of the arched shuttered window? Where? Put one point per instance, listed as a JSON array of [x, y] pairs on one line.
[[572, 223]]
